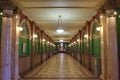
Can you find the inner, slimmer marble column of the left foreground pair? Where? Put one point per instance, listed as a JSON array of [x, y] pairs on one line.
[[14, 48]]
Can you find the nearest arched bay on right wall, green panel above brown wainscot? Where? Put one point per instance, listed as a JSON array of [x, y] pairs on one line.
[[95, 48]]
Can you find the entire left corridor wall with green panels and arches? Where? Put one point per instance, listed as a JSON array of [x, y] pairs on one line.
[[32, 50]]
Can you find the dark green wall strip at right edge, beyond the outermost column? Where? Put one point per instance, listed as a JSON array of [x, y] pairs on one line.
[[118, 31]]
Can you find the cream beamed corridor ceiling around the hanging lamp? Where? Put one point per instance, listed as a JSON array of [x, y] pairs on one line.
[[74, 14]]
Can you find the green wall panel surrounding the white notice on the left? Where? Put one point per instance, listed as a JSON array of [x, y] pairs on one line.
[[27, 48]]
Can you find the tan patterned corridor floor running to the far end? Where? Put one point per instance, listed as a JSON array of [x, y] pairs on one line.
[[60, 67]]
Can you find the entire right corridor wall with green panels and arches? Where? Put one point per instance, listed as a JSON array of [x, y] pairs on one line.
[[88, 49]]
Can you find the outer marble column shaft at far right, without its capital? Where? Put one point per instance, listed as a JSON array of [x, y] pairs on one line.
[[112, 49]]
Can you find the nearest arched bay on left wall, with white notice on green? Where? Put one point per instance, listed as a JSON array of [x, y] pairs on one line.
[[24, 47]]
